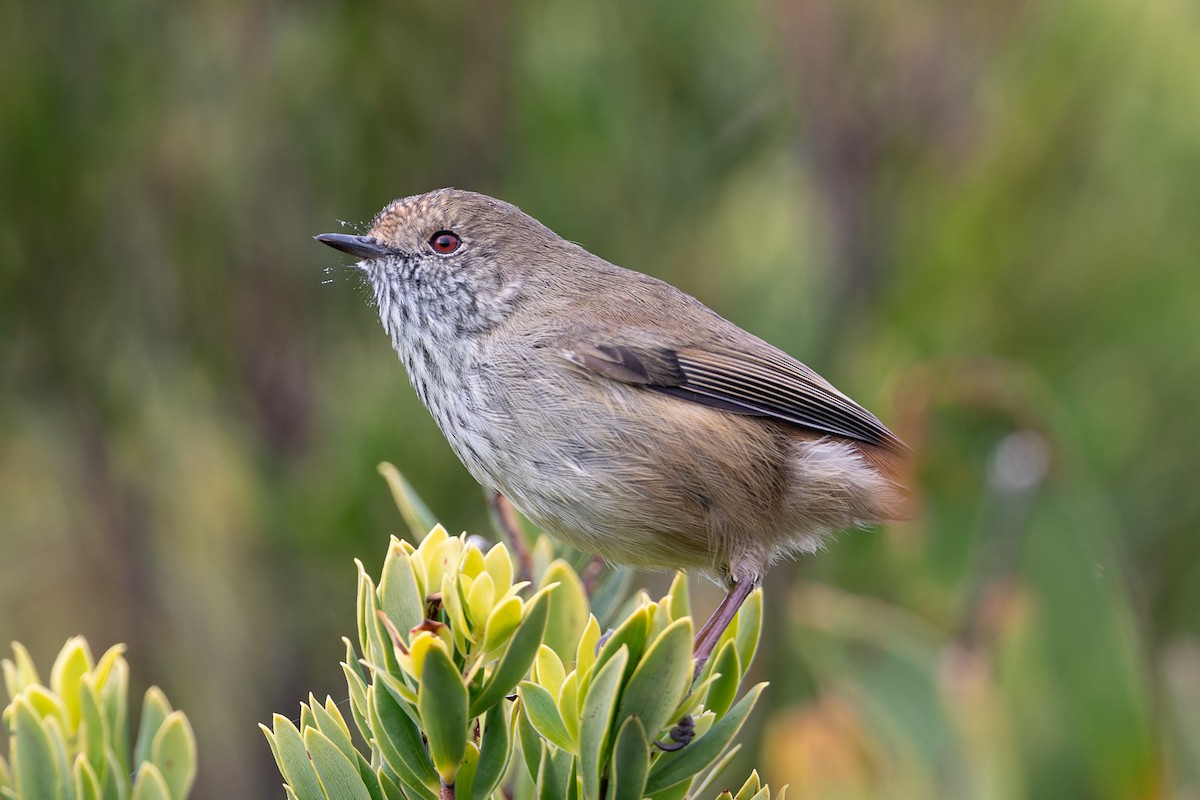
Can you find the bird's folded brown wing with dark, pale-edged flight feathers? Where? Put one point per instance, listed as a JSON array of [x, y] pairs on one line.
[[766, 383]]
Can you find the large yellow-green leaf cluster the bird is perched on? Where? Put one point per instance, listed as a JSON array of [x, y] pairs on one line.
[[469, 683]]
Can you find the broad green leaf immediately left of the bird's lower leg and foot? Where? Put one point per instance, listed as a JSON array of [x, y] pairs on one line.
[[661, 681]]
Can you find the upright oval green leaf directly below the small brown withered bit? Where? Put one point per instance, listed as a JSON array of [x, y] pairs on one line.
[[442, 702]]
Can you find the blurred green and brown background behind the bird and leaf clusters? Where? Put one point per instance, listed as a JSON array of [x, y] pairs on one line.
[[982, 220]]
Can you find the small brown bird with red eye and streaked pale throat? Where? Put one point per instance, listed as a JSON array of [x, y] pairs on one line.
[[619, 413]]
